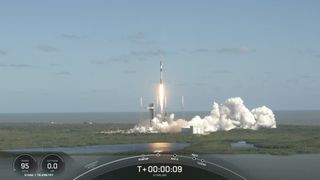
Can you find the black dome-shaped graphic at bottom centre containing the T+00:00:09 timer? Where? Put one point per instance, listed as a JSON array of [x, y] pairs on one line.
[[160, 166]]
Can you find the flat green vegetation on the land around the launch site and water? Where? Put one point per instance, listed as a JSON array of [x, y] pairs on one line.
[[286, 139]]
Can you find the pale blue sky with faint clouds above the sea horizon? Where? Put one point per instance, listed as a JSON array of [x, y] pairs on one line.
[[84, 56]]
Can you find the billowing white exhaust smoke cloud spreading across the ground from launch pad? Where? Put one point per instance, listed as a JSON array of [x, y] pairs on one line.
[[231, 114]]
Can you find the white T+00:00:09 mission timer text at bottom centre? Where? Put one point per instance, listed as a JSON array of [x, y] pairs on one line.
[[160, 169]]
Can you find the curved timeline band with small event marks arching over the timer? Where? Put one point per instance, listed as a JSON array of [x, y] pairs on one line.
[[157, 158]]
